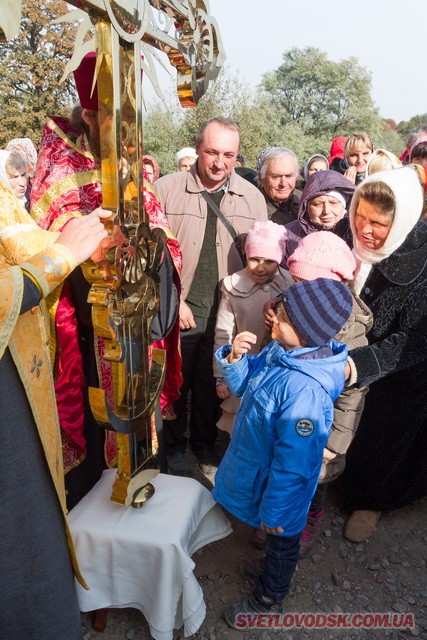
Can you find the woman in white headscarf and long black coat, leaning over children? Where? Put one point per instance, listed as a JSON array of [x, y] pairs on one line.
[[386, 465]]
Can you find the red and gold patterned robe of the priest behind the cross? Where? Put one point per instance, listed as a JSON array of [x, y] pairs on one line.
[[68, 184]]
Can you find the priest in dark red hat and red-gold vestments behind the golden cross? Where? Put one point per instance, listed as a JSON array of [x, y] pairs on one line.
[[68, 184]]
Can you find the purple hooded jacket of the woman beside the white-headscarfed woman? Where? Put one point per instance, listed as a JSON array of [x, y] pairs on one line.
[[318, 183]]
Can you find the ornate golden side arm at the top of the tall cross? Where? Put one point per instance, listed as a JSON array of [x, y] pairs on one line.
[[185, 31]]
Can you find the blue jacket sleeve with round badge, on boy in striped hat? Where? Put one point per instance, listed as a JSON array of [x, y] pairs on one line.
[[302, 429]]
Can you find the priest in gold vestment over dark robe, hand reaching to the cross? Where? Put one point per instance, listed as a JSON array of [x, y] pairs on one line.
[[37, 592]]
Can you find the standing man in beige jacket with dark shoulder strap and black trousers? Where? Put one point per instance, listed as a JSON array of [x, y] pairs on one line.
[[209, 254]]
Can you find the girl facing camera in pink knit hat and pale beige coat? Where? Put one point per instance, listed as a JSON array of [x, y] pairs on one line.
[[243, 295]]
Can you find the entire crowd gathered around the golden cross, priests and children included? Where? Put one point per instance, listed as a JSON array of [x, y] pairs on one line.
[[301, 330]]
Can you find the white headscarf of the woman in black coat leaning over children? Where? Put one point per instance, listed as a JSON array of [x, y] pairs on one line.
[[409, 201]]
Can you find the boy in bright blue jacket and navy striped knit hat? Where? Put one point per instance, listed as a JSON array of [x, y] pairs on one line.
[[270, 470]]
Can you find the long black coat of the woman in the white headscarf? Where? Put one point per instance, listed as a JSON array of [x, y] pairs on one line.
[[386, 464]]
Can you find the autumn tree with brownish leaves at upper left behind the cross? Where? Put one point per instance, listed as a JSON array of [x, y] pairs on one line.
[[31, 66]]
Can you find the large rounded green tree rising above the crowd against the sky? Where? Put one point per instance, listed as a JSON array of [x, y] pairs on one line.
[[323, 98]]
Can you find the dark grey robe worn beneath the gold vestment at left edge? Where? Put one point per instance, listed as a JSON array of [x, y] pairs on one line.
[[38, 598]]
